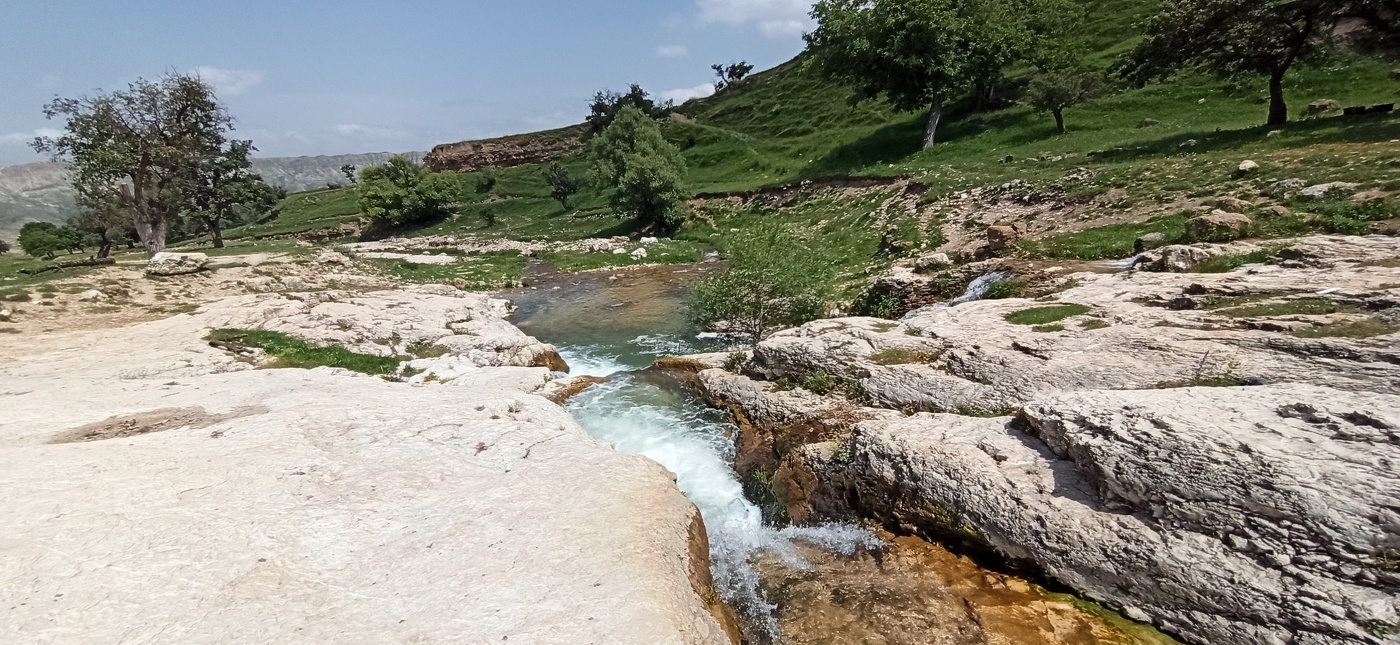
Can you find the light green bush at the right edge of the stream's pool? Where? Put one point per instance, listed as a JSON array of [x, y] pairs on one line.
[[773, 282]]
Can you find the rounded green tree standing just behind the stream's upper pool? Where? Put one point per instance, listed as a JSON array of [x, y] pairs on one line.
[[645, 171]]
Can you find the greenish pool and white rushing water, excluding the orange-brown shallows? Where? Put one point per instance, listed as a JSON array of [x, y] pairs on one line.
[[617, 327]]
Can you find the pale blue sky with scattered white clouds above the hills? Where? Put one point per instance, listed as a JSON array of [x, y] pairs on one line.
[[309, 78]]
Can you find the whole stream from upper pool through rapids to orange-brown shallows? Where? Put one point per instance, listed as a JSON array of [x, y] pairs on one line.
[[793, 586]]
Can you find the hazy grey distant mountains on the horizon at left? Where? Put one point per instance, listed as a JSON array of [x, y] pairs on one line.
[[40, 192]]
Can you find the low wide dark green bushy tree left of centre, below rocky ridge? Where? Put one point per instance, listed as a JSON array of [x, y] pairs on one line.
[[402, 194]]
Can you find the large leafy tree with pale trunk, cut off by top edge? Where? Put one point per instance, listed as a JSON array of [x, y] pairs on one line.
[[920, 54]]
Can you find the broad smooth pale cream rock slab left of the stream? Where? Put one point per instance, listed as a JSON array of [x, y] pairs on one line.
[[230, 504]]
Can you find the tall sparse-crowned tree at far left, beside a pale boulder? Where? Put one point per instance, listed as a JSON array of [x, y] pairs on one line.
[[141, 146]]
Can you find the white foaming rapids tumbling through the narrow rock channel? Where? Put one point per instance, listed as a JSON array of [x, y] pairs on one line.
[[694, 441]]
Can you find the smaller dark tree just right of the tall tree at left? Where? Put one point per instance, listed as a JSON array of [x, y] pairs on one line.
[[225, 188]]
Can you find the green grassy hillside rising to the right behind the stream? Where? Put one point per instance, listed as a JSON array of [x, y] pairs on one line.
[[1142, 146]]
